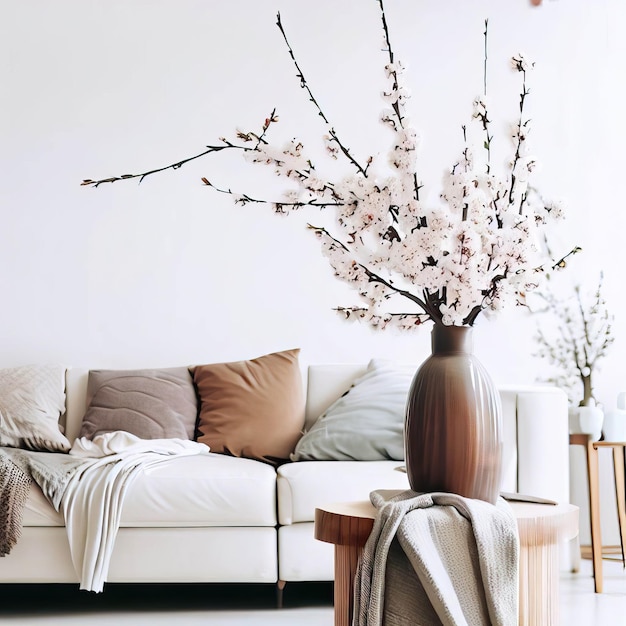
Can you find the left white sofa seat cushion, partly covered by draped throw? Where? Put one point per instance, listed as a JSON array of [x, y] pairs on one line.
[[199, 490]]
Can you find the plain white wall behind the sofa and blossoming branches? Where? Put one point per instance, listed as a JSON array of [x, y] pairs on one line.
[[169, 272]]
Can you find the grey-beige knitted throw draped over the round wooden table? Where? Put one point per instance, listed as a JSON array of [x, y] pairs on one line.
[[438, 559]]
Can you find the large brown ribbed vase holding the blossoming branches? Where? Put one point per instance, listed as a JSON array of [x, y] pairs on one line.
[[453, 428]]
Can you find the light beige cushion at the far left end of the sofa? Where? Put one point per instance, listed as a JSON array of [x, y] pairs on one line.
[[32, 399]]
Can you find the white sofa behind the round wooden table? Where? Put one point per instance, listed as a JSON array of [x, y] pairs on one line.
[[217, 518]]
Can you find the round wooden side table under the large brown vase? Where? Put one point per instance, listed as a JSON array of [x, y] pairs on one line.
[[541, 527]]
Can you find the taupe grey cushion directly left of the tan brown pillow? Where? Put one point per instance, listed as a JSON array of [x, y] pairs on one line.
[[149, 403]]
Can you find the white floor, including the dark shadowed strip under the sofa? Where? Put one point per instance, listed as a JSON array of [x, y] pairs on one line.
[[254, 605]]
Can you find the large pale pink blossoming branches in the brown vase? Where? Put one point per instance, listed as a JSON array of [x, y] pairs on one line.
[[411, 258]]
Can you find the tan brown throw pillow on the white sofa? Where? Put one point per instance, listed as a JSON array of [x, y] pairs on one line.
[[252, 409]]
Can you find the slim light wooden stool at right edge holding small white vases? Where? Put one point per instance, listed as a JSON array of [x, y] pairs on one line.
[[591, 451]]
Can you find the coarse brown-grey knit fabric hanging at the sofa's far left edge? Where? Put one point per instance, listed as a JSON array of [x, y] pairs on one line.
[[14, 488]]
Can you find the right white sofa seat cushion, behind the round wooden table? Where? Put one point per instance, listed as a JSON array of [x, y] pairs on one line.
[[305, 485]]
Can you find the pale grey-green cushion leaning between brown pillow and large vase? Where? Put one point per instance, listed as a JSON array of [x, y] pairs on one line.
[[366, 423]]
